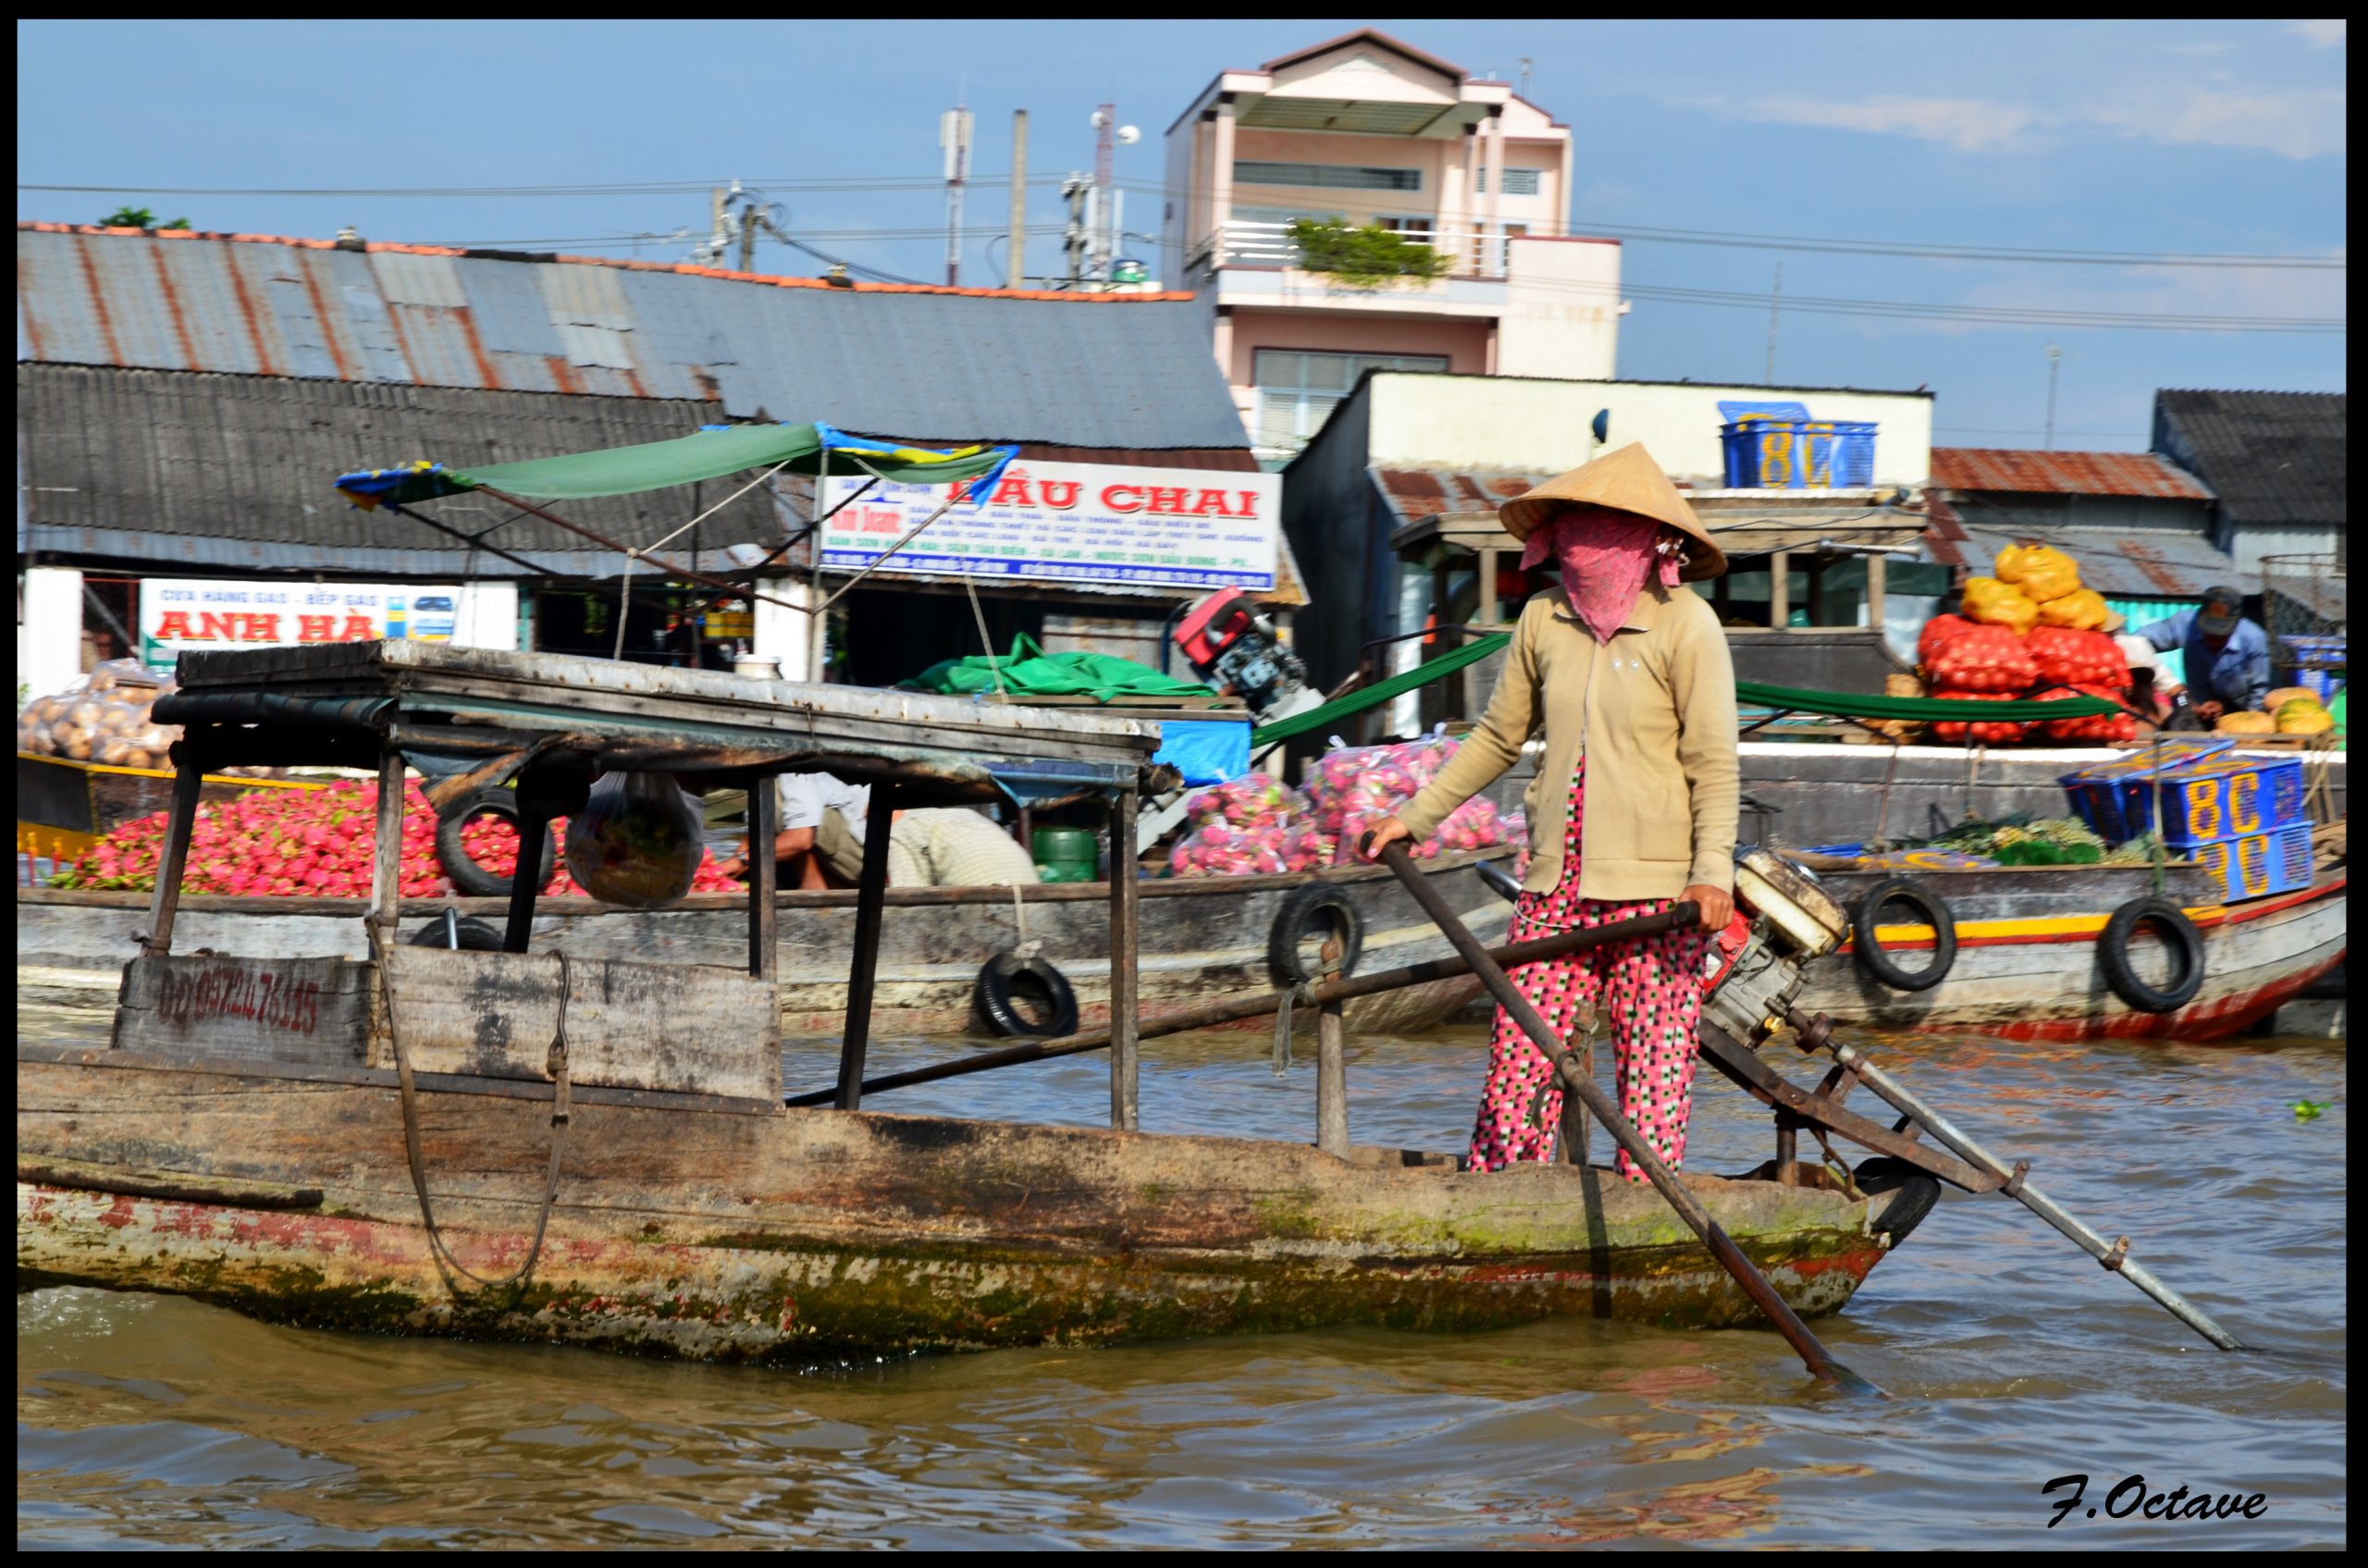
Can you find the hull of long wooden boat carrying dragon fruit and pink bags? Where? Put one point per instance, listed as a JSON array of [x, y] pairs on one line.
[[1202, 939]]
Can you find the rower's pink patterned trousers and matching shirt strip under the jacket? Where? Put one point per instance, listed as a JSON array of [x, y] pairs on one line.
[[1649, 994]]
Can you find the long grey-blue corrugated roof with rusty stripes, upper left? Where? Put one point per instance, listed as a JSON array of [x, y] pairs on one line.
[[1088, 371]]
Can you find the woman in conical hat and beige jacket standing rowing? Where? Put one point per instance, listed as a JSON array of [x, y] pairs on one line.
[[1635, 802]]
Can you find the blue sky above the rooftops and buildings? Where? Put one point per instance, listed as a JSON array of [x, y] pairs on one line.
[[2149, 139]]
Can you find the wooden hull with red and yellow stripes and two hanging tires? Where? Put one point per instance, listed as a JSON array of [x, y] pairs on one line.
[[2038, 977]]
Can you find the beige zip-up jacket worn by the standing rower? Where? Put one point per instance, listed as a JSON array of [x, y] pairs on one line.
[[1654, 712]]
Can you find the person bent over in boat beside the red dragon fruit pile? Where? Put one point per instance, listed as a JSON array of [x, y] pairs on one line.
[[823, 842]]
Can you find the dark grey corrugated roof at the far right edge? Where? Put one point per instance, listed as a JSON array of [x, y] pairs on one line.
[[2274, 458]]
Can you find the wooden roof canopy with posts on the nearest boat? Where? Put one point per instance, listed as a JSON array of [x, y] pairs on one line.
[[553, 724]]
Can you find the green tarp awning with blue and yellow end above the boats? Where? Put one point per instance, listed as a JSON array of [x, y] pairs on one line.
[[709, 454]]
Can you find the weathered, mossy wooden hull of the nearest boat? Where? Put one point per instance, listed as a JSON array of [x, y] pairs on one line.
[[745, 1233]]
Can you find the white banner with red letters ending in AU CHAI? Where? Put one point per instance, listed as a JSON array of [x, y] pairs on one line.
[[1072, 522]]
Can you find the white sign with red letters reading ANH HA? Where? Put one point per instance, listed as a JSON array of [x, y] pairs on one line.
[[181, 615]]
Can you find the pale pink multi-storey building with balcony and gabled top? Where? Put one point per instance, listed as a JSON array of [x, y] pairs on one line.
[[1375, 131]]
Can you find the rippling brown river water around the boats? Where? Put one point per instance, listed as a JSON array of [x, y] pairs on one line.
[[2009, 1361]]
